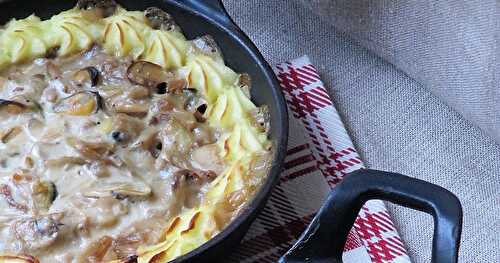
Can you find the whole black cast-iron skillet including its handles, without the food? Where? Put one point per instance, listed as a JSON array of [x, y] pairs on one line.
[[324, 239]]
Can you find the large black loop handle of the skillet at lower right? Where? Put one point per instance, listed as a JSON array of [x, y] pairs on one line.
[[325, 237]]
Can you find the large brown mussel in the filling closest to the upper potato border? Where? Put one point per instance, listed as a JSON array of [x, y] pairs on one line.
[[147, 74]]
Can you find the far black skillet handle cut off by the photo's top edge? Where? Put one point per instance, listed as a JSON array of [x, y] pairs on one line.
[[212, 9]]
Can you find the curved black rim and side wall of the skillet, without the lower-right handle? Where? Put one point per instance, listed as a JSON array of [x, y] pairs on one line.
[[222, 21]]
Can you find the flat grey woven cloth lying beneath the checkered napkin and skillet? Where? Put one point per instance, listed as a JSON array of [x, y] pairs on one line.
[[396, 123]]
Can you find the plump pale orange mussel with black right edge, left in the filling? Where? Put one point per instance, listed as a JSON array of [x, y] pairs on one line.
[[79, 104]]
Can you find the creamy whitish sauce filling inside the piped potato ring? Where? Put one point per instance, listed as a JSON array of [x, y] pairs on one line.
[[85, 208]]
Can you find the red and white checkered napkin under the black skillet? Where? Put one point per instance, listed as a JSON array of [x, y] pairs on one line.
[[319, 154]]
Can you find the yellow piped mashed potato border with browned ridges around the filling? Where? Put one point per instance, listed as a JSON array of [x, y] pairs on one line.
[[127, 33]]
